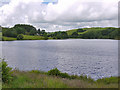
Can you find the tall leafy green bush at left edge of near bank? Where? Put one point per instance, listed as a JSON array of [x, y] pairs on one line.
[[6, 72]]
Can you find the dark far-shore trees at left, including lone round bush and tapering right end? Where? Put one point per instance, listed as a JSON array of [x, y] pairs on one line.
[[22, 29]]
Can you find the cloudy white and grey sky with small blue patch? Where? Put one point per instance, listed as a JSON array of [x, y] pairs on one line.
[[54, 15]]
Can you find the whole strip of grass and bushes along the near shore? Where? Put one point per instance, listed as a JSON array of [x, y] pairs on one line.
[[51, 79]]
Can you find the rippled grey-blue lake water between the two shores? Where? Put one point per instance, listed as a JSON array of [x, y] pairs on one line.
[[95, 58]]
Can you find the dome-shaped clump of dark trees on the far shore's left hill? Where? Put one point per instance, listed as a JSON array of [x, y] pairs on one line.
[[19, 29]]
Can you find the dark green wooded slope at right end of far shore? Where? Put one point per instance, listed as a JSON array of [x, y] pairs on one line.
[[108, 33]]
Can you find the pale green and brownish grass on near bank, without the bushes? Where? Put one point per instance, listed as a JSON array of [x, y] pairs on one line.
[[37, 79]]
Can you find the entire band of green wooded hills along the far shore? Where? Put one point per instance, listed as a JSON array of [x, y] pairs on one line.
[[22, 31]]
